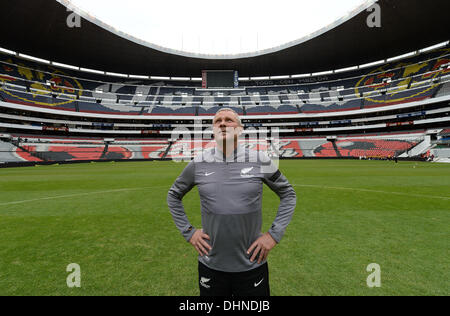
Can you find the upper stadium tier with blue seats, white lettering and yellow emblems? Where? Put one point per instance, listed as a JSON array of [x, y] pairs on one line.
[[416, 78]]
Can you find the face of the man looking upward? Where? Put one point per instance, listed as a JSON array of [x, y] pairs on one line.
[[226, 126]]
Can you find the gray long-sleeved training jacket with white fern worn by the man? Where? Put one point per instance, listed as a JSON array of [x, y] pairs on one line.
[[231, 201]]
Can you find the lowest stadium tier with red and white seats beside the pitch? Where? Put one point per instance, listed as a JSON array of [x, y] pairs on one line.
[[30, 148]]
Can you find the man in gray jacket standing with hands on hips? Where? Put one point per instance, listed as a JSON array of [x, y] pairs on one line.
[[232, 250]]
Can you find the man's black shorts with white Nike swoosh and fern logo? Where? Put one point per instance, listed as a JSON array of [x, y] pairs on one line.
[[218, 283]]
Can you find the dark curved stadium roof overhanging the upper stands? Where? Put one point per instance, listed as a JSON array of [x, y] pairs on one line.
[[39, 28]]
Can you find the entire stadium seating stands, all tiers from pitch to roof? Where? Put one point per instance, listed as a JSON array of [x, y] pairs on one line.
[[51, 113]]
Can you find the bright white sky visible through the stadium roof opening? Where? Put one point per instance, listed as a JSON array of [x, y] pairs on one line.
[[218, 27]]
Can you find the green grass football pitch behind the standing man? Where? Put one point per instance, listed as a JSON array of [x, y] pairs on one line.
[[112, 220]]
